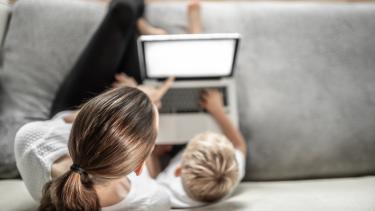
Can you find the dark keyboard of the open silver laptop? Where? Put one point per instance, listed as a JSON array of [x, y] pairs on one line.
[[186, 100]]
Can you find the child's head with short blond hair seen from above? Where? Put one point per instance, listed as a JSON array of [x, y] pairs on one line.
[[209, 170]]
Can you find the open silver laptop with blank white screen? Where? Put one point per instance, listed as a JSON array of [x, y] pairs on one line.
[[198, 62]]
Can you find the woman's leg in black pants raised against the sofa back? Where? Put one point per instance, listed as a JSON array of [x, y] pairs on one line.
[[95, 69]]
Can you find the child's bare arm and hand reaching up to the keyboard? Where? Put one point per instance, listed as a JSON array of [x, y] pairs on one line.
[[212, 101]]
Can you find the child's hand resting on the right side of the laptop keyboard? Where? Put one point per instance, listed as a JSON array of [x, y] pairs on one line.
[[212, 101]]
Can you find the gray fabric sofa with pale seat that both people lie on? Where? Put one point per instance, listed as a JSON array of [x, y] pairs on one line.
[[305, 83]]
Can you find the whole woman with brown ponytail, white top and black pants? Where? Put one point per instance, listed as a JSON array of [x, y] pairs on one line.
[[88, 166]]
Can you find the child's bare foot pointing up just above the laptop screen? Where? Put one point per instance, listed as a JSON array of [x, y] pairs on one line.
[[194, 17]]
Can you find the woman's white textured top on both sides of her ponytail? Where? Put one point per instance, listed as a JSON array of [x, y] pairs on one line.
[[39, 144]]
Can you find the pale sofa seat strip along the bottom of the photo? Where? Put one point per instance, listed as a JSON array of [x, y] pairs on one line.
[[329, 194]]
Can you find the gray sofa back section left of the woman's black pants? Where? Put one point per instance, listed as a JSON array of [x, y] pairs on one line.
[[43, 42]]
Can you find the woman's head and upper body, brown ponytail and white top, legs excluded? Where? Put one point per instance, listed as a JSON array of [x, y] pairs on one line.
[[91, 162]]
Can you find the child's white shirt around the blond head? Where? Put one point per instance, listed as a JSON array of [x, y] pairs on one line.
[[173, 184]]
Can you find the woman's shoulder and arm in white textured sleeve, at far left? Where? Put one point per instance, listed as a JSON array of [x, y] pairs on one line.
[[38, 146]]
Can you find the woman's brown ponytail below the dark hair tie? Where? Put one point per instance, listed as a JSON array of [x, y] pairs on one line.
[[71, 191]]
